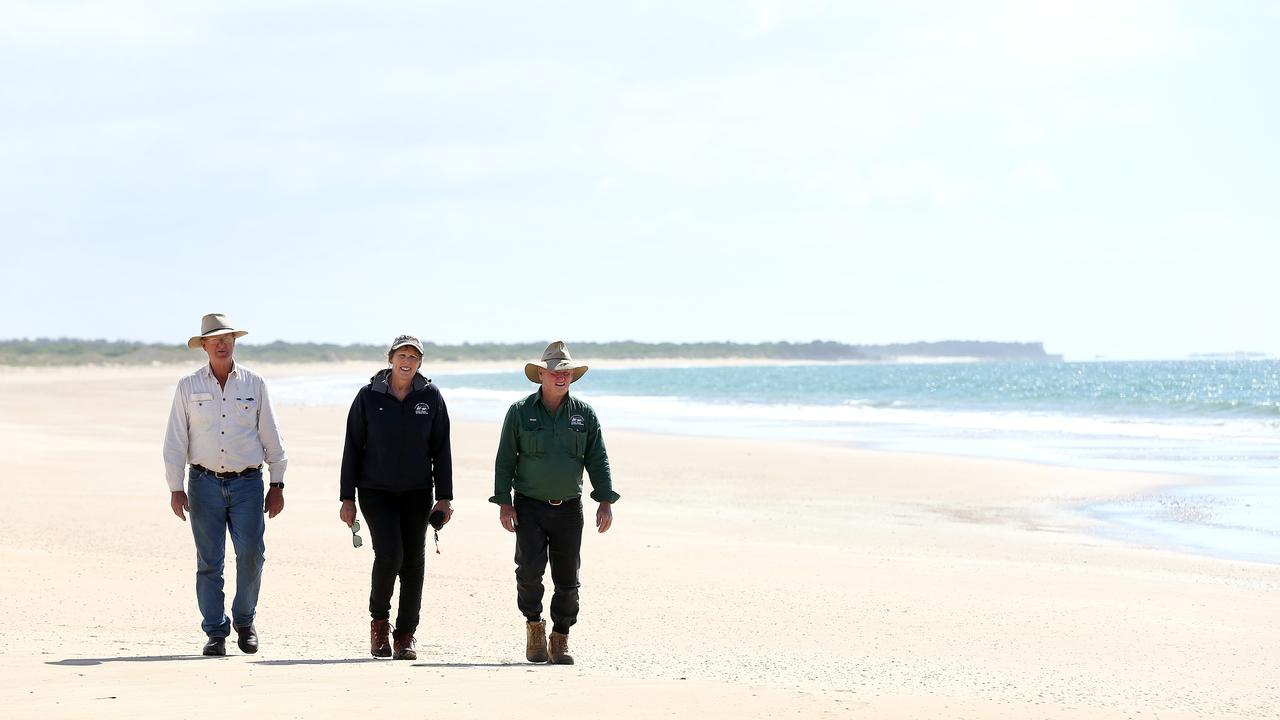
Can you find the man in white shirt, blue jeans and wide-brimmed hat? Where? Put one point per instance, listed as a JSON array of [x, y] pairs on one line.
[[222, 425]]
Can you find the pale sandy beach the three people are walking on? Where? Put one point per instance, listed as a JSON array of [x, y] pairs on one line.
[[742, 580]]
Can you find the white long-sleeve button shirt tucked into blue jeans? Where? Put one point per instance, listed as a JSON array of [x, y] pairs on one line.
[[225, 430]]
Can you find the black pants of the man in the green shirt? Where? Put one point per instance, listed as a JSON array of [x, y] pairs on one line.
[[555, 531]]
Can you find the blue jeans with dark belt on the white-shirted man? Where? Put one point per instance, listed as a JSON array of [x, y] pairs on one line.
[[218, 507]]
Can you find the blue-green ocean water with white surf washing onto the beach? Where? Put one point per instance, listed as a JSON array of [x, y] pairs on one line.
[[1214, 421]]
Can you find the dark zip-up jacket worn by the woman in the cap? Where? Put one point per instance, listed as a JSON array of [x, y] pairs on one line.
[[397, 446]]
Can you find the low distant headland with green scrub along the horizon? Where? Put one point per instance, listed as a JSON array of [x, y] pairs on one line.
[[71, 352]]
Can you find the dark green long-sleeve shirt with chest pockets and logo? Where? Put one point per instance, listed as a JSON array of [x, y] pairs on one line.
[[543, 455]]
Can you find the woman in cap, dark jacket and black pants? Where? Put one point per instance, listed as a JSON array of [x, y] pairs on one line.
[[397, 452]]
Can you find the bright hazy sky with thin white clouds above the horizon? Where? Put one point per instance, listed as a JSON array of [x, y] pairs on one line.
[[1104, 177]]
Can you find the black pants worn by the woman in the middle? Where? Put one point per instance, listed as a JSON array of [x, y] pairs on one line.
[[397, 525]]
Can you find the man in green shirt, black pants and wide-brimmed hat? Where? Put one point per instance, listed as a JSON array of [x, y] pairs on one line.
[[548, 439]]
